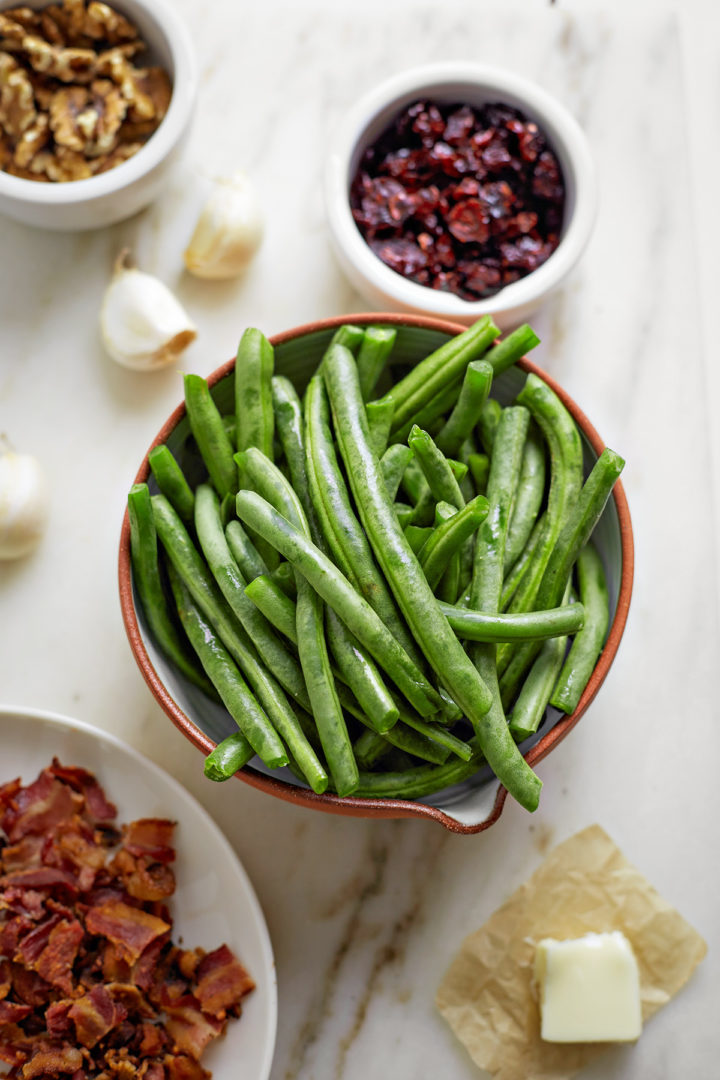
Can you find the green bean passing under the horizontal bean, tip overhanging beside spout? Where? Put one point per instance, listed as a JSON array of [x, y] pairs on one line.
[[500, 749]]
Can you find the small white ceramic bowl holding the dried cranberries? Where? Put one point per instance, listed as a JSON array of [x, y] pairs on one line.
[[471, 85]]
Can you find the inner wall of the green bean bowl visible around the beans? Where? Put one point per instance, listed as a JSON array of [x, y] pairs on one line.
[[470, 803]]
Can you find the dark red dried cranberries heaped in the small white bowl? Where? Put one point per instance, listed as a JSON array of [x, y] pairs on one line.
[[465, 200]]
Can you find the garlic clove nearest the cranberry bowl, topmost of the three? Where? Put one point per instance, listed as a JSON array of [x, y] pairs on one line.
[[228, 233]]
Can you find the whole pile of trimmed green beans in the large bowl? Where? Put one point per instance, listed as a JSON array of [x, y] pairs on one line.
[[387, 595]]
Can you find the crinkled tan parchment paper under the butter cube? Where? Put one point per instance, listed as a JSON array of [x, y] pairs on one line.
[[586, 884]]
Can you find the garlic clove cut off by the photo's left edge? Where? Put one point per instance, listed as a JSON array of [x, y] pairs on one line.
[[23, 504]]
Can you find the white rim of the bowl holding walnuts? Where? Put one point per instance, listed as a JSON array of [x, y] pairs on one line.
[[176, 36]]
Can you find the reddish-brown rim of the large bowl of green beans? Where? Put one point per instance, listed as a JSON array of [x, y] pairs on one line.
[[354, 806]]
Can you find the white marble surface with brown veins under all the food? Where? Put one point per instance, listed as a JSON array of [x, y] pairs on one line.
[[366, 916]]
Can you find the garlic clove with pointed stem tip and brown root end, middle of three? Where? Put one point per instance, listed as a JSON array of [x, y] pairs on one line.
[[143, 325]]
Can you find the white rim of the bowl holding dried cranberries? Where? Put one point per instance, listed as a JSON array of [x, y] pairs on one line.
[[565, 134]]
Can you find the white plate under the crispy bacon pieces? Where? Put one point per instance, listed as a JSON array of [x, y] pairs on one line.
[[214, 902]]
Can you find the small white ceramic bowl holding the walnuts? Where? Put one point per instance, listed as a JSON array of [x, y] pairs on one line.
[[128, 188]]
